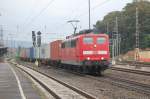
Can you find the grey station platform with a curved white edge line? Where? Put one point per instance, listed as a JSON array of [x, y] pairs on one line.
[[15, 85]]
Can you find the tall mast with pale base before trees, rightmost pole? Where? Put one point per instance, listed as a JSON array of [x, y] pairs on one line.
[[137, 36]]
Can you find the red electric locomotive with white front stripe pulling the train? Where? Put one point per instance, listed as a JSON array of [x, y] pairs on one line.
[[87, 52]]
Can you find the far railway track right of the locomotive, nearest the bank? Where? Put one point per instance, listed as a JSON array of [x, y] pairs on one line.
[[131, 71]]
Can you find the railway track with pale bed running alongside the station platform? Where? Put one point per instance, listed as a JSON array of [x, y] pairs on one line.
[[75, 93]]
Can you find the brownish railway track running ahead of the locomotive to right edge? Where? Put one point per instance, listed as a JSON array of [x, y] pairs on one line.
[[124, 83]]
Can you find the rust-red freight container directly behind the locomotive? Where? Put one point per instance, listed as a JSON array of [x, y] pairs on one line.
[[55, 51]]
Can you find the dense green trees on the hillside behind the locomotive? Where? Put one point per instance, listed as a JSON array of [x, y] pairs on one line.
[[127, 24]]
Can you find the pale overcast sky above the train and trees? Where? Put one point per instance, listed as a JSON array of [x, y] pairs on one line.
[[19, 18]]
